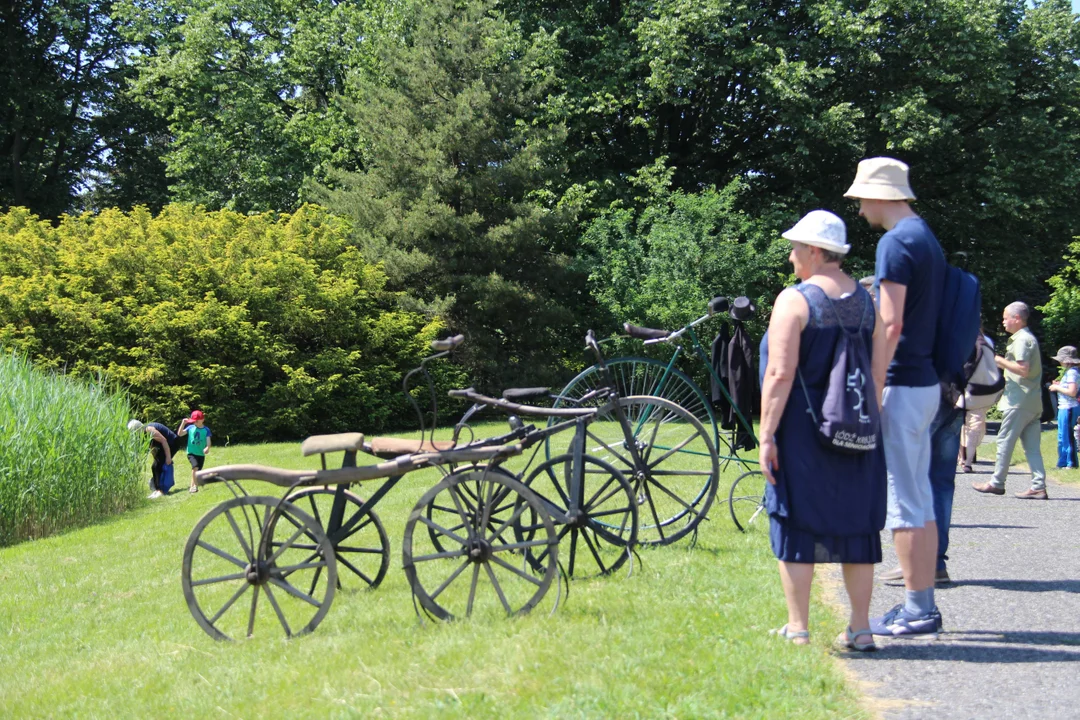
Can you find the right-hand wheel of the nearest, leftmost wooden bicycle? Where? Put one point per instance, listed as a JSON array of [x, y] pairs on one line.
[[482, 569]]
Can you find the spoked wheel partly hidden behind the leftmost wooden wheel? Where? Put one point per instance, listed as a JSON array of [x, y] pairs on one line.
[[361, 545]]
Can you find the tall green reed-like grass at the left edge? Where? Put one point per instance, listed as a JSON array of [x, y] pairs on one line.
[[66, 456]]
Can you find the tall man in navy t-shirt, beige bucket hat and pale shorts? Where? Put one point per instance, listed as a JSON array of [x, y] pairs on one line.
[[910, 275]]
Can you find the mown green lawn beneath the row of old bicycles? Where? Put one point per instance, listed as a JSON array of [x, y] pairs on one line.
[[93, 624]]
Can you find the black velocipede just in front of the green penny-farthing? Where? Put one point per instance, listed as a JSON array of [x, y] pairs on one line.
[[661, 451]]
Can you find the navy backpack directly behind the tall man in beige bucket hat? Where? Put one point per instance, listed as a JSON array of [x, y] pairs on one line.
[[958, 322]]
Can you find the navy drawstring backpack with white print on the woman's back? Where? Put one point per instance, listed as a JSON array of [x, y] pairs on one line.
[[849, 419]]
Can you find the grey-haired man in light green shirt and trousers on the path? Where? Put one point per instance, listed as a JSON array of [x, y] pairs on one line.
[[1021, 406]]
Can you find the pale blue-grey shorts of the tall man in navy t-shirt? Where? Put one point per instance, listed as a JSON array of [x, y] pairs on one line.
[[907, 415]]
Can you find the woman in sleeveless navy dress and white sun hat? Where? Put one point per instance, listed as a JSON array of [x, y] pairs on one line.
[[825, 507]]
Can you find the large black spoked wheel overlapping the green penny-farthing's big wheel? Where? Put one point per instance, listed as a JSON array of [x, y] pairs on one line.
[[673, 468]]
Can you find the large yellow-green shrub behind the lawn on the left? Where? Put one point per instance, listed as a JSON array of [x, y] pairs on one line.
[[273, 324]]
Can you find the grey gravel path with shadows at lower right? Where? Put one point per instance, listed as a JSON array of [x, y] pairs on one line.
[[1011, 646]]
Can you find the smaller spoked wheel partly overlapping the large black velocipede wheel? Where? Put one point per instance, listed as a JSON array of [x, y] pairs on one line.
[[598, 532]]
